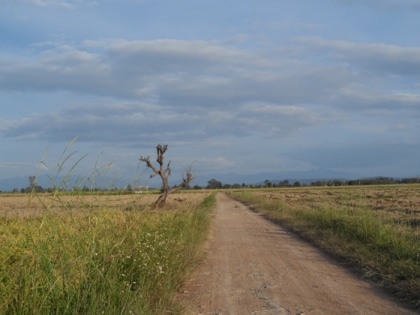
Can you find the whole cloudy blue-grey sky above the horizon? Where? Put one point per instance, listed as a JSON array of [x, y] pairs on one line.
[[231, 86]]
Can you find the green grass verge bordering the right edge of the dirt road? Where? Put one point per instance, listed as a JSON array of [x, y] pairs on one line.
[[350, 229]]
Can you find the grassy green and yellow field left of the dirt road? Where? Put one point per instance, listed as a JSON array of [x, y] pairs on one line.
[[98, 254]]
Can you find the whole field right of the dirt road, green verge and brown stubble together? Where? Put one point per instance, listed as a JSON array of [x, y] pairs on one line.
[[374, 229]]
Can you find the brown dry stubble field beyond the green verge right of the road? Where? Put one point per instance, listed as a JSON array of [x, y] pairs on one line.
[[397, 204]]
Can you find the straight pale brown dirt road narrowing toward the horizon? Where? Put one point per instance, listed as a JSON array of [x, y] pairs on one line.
[[255, 267]]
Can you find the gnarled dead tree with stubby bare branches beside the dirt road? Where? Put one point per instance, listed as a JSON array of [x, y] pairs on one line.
[[164, 174]]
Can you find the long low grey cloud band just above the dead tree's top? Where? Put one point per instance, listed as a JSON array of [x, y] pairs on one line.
[[126, 124]]
